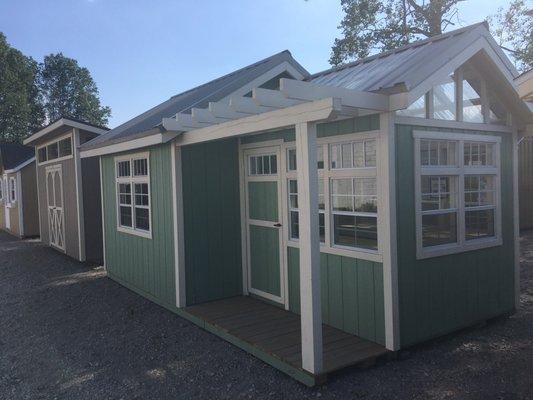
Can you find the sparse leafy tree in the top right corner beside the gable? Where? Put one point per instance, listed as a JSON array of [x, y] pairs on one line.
[[513, 30]]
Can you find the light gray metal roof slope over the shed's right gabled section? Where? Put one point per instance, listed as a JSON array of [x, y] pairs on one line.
[[407, 66]]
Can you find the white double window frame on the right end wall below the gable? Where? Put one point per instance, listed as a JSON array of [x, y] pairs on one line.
[[459, 170]]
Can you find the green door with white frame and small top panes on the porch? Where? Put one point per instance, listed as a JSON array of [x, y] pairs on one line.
[[263, 223]]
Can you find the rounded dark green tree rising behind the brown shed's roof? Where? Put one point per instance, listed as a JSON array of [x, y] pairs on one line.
[[70, 91]]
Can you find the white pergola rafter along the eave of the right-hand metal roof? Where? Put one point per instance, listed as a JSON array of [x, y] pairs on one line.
[[351, 98]]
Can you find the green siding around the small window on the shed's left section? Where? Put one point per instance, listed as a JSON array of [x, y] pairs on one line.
[[146, 265]]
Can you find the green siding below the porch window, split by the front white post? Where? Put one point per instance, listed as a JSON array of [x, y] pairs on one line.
[[351, 292]]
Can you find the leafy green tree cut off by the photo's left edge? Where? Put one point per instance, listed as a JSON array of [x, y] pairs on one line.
[[21, 109]]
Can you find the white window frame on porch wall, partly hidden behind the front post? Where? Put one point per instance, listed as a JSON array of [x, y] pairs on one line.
[[327, 174]]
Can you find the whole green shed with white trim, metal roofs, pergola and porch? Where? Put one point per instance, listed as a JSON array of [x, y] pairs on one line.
[[318, 221]]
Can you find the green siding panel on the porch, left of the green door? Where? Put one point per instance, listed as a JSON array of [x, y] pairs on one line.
[[212, 226]]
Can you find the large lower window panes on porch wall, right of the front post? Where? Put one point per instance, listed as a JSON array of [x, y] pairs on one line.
[[354, 210]]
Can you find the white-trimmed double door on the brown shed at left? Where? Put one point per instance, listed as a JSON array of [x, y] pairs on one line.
[[54, 194]]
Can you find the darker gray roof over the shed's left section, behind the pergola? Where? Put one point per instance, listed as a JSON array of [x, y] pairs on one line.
[[197, 97]]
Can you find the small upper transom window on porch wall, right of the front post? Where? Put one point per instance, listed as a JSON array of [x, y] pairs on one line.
[[357, 154]]
